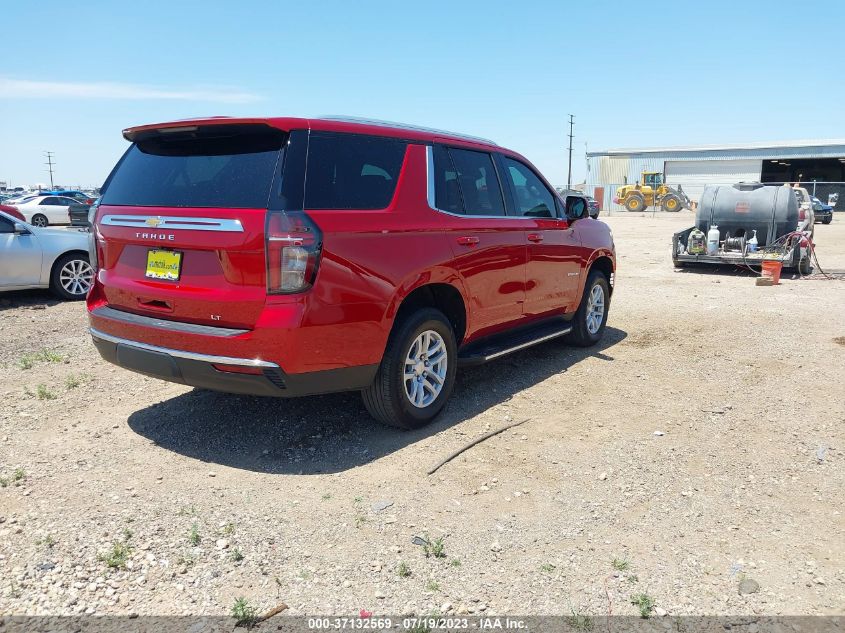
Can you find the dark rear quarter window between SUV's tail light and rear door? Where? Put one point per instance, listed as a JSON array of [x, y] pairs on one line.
[[348, 171]]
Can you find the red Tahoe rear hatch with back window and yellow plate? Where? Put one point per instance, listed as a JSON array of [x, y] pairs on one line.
[[181, 223]]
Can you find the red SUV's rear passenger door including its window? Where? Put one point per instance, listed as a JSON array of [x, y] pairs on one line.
[[489, 246]]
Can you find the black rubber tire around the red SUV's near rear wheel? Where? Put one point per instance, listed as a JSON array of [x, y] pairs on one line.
[[386, 399]]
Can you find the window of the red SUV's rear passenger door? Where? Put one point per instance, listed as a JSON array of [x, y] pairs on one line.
[[465, 182]]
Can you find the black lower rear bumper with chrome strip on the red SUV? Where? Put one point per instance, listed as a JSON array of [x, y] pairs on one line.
[[198, 370]]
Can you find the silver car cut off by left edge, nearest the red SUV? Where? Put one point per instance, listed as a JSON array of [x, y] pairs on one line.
[[32, 257]]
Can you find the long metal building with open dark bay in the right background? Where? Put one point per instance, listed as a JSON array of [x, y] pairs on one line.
[[818, 165]]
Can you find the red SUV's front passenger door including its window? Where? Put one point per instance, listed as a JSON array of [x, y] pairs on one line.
[[553, 268]]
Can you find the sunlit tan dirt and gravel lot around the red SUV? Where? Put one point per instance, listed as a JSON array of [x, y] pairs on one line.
[[207, 497]]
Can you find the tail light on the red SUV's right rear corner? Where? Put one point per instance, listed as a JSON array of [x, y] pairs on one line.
[[293, 247]]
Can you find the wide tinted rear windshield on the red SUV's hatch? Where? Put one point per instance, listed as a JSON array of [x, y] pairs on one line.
[[215, 166]]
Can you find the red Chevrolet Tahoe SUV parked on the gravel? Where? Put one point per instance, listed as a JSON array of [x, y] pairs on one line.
[[287, 257]]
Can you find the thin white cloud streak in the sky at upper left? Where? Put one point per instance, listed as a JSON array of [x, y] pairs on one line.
[[33, 89]]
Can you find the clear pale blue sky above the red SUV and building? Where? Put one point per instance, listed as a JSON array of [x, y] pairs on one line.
[[634, 74]]
